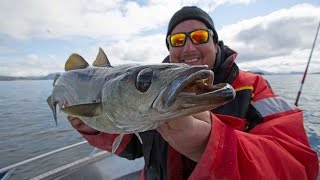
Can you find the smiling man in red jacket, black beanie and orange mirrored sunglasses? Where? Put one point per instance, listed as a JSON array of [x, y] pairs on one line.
[[258, 135]]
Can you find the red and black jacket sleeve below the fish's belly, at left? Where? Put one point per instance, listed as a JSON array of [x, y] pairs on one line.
[[129, 148]]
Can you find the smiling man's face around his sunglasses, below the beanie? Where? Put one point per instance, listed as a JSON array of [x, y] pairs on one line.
[[201, 54]]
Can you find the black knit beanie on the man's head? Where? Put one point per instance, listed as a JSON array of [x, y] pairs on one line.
[[191, 12]]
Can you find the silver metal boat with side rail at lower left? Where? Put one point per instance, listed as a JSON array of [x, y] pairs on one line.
[[98, 165]]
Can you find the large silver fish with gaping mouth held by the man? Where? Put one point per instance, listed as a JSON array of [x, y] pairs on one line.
[[134, 98]]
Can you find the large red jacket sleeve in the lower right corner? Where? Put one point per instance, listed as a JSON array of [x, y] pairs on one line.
[[277, 149]]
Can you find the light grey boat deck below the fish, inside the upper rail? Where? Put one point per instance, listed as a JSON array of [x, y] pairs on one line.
[[102, 166]]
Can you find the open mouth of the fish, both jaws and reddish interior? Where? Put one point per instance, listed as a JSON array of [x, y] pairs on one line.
[[194, 89]]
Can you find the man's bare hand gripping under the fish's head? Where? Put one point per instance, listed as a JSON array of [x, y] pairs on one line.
[[188, 135]]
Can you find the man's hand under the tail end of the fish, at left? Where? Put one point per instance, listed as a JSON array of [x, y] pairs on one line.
[[80, 126]]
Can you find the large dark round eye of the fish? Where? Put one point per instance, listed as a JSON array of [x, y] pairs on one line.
[[144, 79]]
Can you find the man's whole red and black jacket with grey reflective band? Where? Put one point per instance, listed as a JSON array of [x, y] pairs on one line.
[[256, 136]]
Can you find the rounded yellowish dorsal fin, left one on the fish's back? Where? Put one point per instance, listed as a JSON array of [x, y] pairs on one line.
[[75, 61]]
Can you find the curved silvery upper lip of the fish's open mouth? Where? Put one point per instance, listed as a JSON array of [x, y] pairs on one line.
[[168, 96]]
